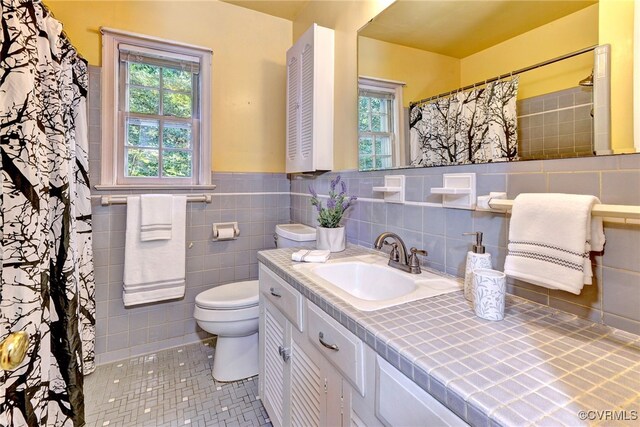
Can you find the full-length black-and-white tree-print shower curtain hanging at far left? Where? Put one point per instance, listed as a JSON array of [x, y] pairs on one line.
[[47, 285]]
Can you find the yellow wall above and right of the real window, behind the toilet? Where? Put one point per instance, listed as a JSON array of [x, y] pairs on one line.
[[248, 96]]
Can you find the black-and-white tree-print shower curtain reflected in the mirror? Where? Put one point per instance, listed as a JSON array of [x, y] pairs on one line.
[[479, 125]]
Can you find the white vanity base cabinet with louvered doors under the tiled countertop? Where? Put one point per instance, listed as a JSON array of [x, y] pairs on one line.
[[315, 372]]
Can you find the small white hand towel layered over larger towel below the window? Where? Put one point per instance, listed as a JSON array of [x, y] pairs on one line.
[[156, 213]]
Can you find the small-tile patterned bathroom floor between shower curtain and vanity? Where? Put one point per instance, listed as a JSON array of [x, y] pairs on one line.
[[170, 388]]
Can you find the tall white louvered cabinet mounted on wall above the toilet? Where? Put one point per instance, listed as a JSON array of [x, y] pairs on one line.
[[309, 137]]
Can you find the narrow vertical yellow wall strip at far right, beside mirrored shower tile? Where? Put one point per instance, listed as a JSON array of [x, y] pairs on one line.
[[616, 28]]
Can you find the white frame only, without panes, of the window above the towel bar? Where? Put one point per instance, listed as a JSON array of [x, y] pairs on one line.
[[112, 171]]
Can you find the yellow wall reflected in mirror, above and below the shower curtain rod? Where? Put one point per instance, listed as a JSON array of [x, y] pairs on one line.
[[567, 34]]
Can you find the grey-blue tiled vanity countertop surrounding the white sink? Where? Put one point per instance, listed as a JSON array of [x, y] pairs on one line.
[[539, 366]]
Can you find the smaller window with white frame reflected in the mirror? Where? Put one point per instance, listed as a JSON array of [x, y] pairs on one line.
[[379, 118]]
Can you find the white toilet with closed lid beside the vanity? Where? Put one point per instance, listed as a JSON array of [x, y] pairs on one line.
[[231, 312]]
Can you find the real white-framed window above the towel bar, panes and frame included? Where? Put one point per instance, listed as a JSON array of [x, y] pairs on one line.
[[156, 112]]
